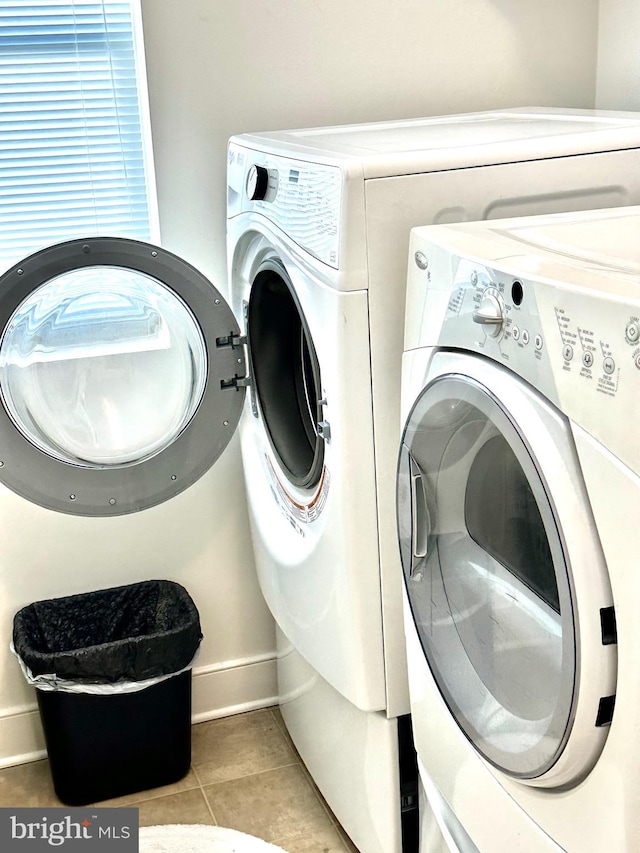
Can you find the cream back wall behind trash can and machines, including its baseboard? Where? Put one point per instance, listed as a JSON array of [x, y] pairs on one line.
[[216, 68]]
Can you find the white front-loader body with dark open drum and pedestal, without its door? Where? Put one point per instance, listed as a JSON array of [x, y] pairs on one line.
[[318, 225]]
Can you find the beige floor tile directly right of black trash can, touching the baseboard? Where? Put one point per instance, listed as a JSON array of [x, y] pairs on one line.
[[238, 746]]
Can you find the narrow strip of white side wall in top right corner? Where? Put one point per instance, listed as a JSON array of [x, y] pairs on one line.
[[618, 67]]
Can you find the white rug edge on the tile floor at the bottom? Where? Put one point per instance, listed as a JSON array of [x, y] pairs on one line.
[[196, 838]]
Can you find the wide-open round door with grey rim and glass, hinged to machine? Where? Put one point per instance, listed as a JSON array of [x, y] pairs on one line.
[[121, 376]]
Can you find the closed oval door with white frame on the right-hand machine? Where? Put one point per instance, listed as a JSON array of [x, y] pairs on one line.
[[504, 572]]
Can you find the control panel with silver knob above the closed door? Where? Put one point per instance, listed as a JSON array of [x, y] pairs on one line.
[[579, 346]]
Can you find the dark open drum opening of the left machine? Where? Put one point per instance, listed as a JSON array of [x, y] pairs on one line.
[[286, 375]]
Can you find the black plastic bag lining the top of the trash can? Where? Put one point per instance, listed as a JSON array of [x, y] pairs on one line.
[[127, 633]]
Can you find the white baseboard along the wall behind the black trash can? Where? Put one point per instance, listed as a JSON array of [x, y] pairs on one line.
[[220, 690]]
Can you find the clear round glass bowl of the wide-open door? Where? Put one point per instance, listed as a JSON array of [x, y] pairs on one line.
[[102, 367]]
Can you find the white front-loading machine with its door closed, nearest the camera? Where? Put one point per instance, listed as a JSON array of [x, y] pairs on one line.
[[518, 504]]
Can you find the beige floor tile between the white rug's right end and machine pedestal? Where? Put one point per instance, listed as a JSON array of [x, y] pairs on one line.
[[277, 805]]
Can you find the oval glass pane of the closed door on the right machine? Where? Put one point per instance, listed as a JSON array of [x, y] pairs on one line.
[[486, 576]]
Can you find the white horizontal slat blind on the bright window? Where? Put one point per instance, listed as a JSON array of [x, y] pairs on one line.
[[73, 143]]
